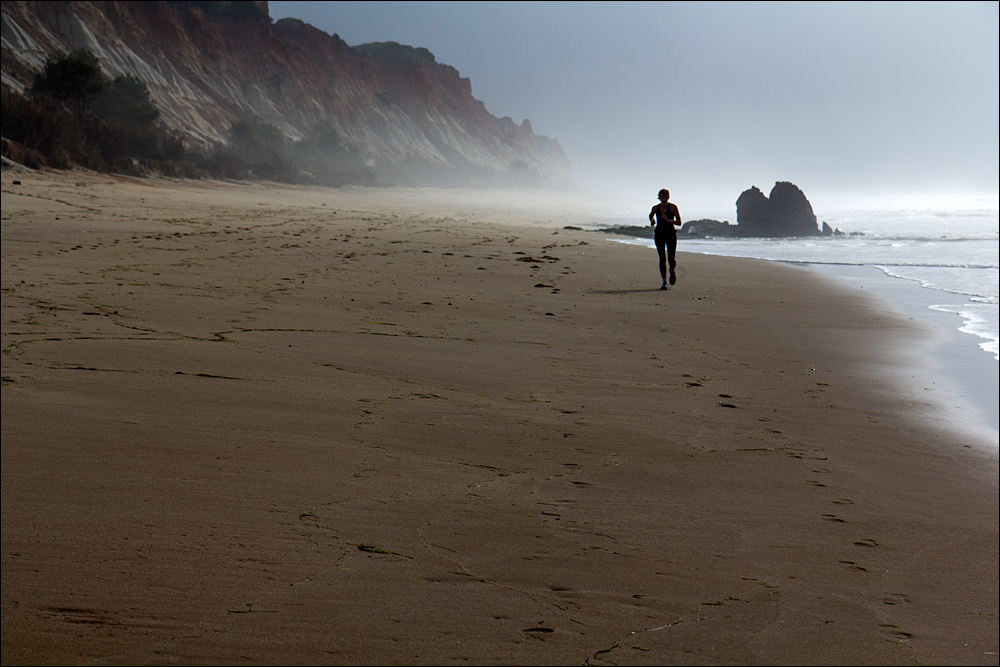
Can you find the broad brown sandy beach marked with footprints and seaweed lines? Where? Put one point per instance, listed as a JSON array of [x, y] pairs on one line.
[[246, 424]]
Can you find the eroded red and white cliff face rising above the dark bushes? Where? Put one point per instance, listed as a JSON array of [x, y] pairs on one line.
[[210, 64]]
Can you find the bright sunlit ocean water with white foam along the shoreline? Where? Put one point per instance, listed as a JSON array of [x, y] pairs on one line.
[[937, 262]]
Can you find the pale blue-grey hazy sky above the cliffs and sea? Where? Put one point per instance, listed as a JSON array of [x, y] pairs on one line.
[[851, 101]]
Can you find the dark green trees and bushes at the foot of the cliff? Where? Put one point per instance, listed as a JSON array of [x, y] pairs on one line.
[[73, 115]]
